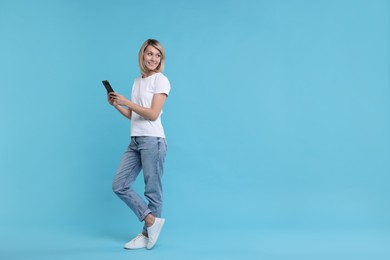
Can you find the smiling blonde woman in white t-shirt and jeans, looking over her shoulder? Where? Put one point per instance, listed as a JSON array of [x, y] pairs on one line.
[[147, 149]]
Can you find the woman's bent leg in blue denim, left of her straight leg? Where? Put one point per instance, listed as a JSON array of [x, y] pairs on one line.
[[129, 168]]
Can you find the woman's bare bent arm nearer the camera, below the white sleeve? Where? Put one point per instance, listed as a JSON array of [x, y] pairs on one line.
[[151, 113]]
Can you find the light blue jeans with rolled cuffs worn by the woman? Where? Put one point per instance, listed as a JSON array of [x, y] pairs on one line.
[[146, 153]]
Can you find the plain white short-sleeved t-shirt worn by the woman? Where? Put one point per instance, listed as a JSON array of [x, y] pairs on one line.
[[142, 94]]
